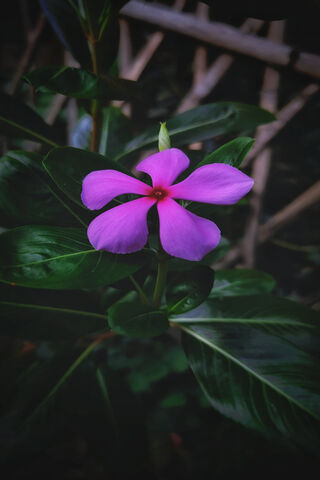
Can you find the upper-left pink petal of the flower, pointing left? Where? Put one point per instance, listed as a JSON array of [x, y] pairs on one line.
[[101, 186]]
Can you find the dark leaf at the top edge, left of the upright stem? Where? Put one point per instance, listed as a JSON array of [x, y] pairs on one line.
[[66, 24]]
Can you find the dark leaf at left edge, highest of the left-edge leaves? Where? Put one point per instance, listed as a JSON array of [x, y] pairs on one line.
[[19, 120]]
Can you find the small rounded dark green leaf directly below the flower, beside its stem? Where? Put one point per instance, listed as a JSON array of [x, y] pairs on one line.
[[136, 320]]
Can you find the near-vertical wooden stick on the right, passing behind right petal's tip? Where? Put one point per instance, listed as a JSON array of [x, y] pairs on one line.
[[261, 164]]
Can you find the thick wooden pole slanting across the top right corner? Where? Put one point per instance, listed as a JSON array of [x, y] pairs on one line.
[[223, 36]]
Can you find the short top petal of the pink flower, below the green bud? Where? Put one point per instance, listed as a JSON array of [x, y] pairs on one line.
[[164, 167]]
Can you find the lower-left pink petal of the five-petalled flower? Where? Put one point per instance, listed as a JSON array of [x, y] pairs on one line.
[[122, 229]]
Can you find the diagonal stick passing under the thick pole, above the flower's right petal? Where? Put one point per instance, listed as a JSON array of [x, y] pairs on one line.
[[215, 72]]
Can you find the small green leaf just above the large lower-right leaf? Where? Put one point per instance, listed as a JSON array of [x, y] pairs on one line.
[[241, 282]]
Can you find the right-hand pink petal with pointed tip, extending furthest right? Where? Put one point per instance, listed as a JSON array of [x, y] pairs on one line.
[[216, 183]]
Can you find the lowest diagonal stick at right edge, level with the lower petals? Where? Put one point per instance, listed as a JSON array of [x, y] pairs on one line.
[[286, 215]]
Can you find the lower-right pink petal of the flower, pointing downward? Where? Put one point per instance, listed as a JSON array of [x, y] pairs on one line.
[[183, 234]]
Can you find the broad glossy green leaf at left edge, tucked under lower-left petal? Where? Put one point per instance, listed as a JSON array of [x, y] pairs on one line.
[[59, 258]]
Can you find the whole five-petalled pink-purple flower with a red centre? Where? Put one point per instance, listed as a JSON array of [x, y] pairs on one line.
[[123, 229]]
